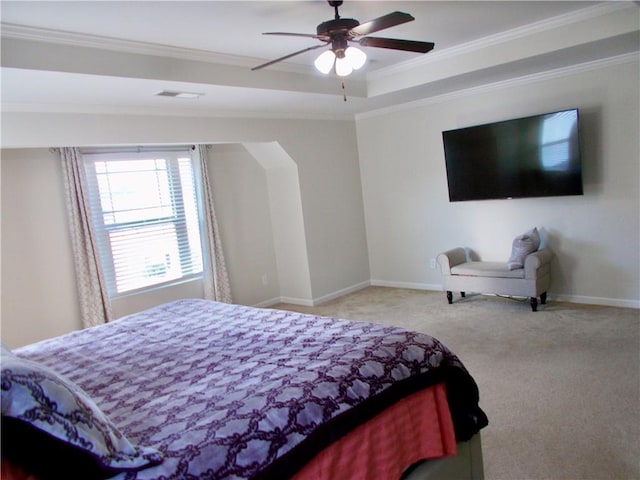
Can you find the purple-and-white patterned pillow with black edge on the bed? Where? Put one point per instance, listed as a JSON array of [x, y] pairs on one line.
[[43, 413]]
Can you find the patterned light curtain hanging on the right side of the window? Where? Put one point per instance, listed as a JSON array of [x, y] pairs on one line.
[[216, 279]]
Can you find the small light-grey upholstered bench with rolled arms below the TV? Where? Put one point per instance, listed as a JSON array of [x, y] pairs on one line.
[[529, 276]]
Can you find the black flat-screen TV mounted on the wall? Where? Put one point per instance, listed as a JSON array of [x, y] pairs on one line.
[[537, 156]]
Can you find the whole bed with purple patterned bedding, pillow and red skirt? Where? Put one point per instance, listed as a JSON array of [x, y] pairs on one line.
[[195, 389]]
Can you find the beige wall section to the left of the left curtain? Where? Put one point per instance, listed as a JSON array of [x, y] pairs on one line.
[[38, 282]]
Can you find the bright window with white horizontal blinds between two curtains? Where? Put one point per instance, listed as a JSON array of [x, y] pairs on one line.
[[145, 211]]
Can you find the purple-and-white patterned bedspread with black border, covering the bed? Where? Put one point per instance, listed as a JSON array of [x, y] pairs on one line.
[[226, 391]]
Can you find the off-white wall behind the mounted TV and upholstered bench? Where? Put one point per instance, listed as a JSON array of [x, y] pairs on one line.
[[409, 218]]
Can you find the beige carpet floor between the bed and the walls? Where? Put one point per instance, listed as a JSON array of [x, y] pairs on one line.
[[561, 386]]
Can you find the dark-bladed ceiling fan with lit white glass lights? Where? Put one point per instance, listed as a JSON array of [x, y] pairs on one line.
[[339, 32]]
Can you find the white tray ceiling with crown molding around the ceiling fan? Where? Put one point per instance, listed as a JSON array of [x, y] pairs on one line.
[[114, 56]]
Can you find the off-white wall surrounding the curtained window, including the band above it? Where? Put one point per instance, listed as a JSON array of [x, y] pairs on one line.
[[35, 231]]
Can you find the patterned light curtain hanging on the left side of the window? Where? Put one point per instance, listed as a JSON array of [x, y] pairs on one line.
[[95, 307]]
